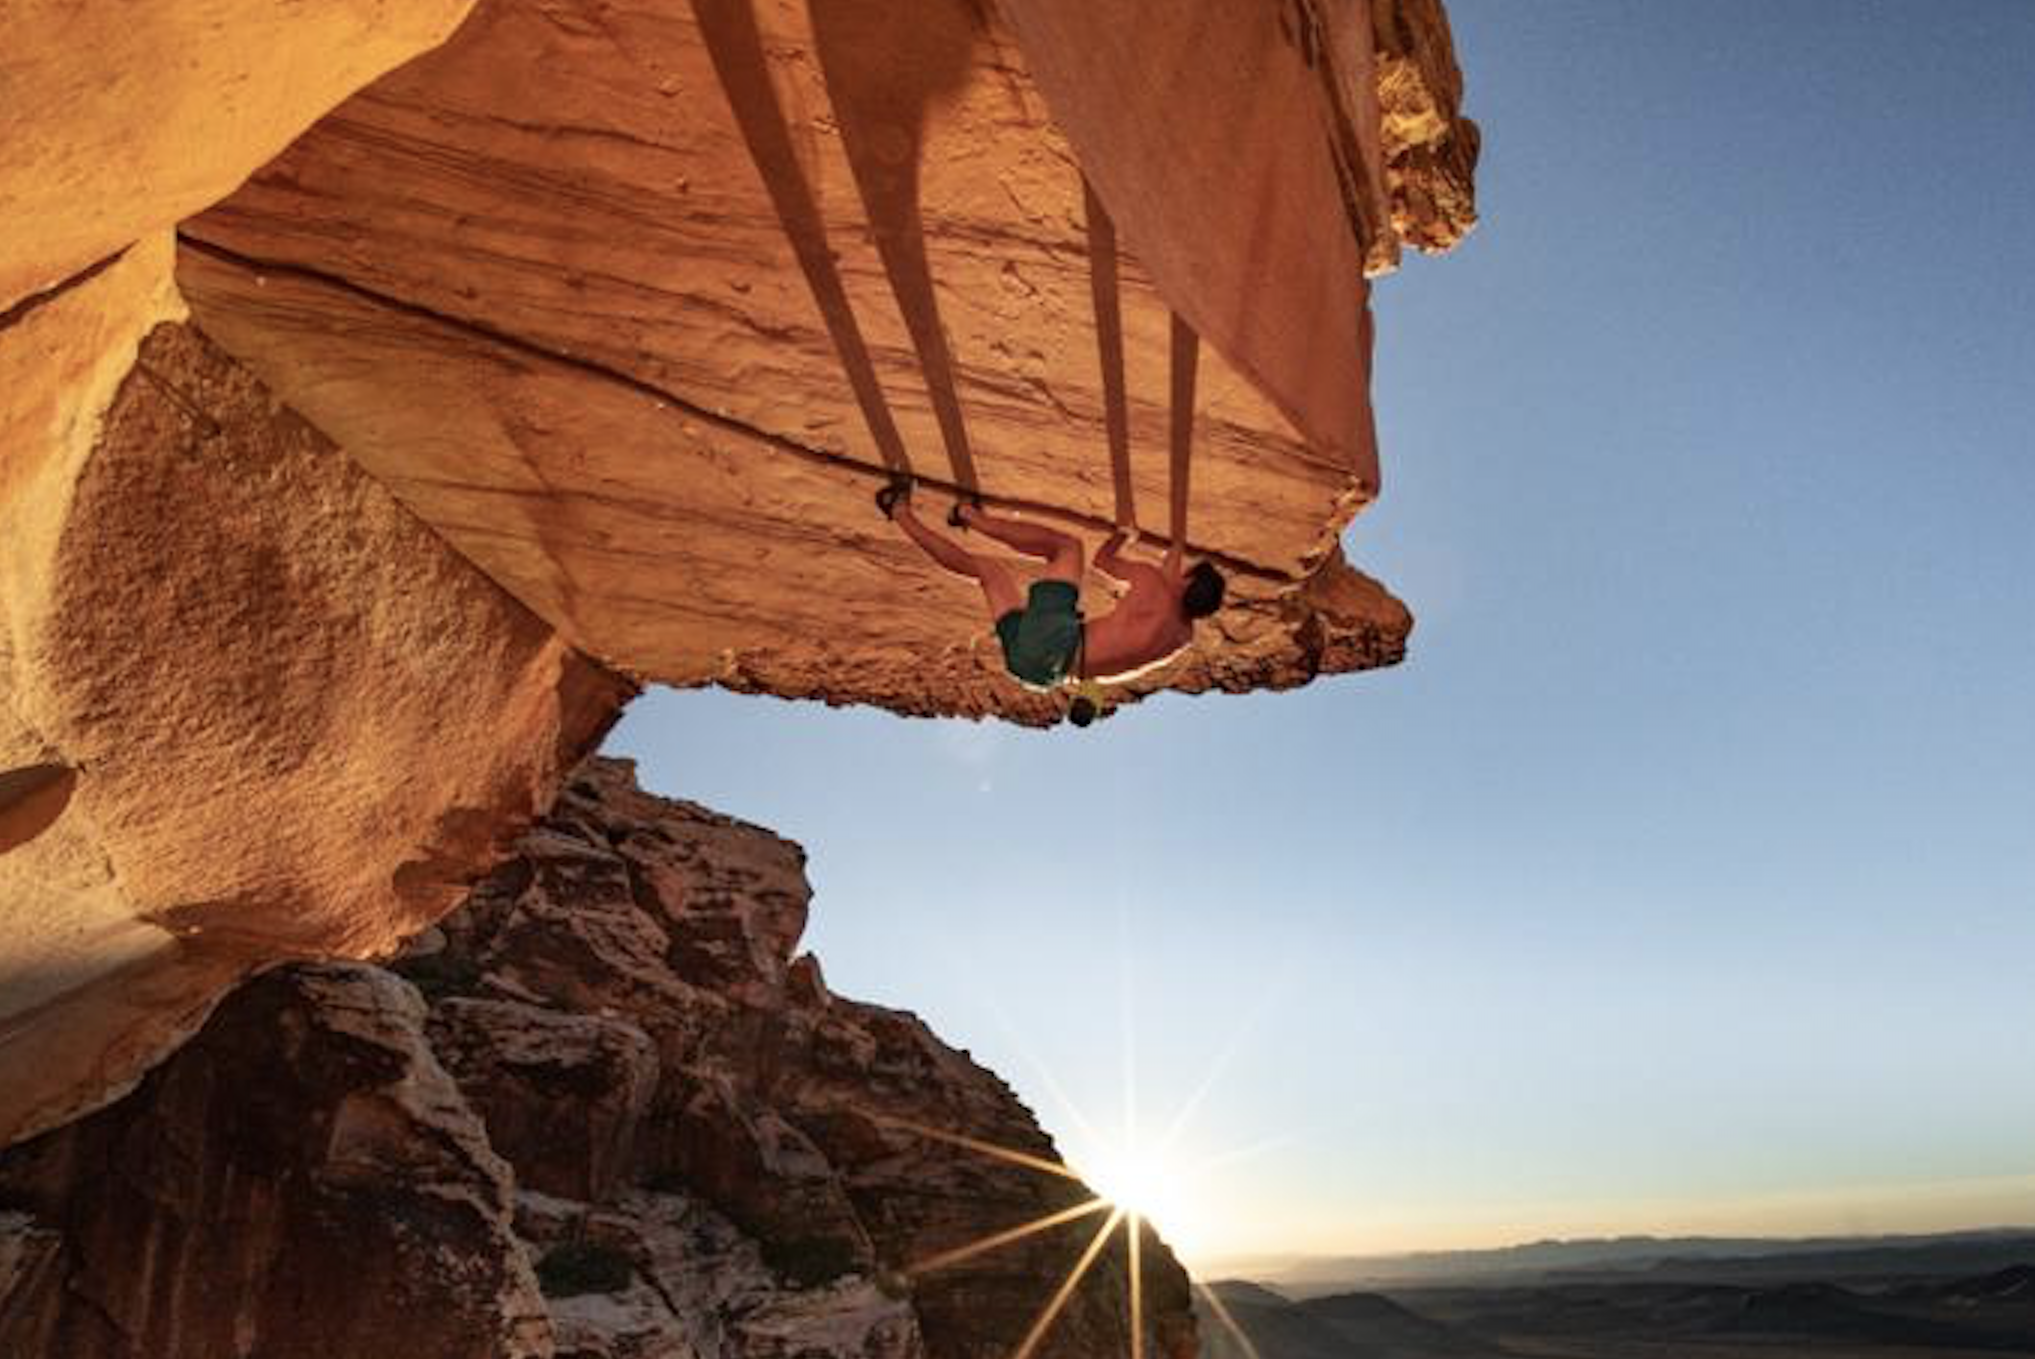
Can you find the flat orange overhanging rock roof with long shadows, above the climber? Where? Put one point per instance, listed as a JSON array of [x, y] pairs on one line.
[[555, 288]]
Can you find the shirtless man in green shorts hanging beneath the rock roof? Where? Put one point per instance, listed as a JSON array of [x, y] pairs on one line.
[[1045, 640]]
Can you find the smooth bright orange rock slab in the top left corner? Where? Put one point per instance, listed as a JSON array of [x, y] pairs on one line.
[[123, 119]]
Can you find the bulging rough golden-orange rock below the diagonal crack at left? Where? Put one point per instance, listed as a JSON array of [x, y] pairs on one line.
[[223, 650]]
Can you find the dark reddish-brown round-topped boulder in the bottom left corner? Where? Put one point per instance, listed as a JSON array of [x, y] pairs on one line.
[[302, 1179]]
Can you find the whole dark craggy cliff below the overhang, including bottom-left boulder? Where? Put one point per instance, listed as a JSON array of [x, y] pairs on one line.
[[618, 1116]]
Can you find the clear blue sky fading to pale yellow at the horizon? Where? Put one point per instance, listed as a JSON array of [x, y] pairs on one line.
[[1684, 878]]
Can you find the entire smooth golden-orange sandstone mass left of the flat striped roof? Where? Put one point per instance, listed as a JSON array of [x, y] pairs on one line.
[[249, 707]]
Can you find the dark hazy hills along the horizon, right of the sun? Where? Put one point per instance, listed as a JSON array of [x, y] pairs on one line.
[[1645, 1299]]
